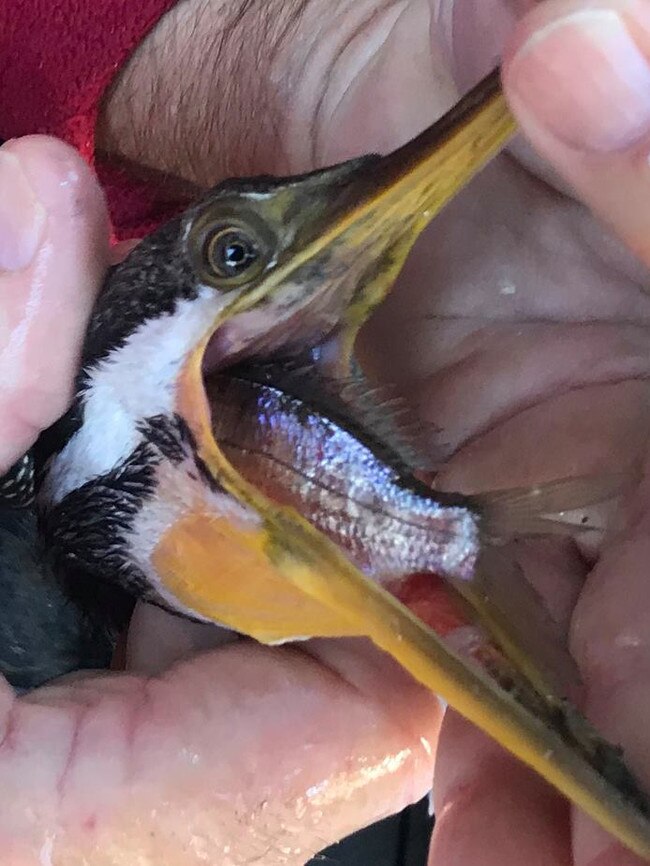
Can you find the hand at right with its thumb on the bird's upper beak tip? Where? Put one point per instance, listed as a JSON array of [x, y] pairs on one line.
[[567, 358]]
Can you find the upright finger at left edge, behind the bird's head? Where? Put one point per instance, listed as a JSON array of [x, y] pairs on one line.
[[53, 252]]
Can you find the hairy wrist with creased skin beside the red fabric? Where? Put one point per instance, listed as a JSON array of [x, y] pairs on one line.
[[237, 87]]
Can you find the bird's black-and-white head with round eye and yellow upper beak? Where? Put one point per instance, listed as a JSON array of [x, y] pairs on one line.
[[264, 268]]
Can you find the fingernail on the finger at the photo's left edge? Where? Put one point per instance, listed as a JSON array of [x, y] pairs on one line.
[[22, 216]]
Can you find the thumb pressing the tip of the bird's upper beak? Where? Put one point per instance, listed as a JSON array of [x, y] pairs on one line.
[[577, 75]]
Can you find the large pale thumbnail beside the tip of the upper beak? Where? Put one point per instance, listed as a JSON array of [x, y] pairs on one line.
[[585, 80]]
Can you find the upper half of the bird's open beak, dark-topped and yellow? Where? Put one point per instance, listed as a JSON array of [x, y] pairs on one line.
[[354, 227]]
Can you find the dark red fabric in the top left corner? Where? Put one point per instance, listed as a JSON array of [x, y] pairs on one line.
[[57, 57]]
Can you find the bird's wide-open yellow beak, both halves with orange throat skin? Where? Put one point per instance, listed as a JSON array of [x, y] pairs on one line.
[[264, 570]]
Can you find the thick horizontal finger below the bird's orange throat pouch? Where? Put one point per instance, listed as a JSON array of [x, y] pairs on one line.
[[242, 753]]
